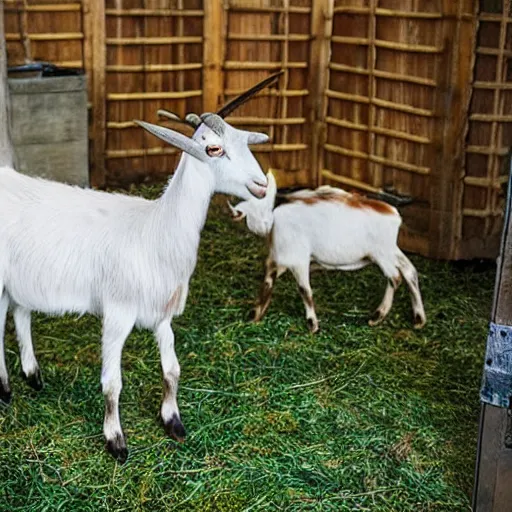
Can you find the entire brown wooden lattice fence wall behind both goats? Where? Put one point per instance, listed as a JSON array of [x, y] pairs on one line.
[[406, 95]]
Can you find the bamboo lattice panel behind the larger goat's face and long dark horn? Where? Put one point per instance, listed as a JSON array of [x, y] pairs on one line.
[[263, 36]]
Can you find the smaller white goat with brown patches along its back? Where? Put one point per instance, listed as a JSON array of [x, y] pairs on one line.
[[336, 230]]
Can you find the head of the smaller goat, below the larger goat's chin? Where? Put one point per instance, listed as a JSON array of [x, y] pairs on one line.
[[259, 212]]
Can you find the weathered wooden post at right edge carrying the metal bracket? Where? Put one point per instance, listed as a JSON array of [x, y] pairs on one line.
[[493, 473]]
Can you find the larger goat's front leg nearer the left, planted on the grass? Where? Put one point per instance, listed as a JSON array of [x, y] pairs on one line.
[[116, 329]]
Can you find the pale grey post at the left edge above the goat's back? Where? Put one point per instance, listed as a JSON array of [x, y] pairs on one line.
[[6, 150]]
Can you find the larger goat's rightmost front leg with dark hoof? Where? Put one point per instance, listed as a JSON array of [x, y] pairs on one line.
[[171, 373]]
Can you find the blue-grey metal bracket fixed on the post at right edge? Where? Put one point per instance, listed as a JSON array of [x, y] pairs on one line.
[[497, 380]]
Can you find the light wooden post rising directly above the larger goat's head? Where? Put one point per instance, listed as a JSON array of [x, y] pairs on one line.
[[213, 54]]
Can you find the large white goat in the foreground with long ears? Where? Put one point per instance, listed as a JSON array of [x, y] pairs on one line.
[[126, 259]]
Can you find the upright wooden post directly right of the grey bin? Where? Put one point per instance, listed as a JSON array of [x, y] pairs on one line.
[[96, 54]]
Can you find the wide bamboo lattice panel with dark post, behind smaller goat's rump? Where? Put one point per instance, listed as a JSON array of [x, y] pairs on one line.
[[390, 76]]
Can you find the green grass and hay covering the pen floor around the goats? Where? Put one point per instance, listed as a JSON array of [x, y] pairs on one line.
[[353, 418]]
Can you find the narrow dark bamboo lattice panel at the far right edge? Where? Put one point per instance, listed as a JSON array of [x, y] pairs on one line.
[[490, 134]]
